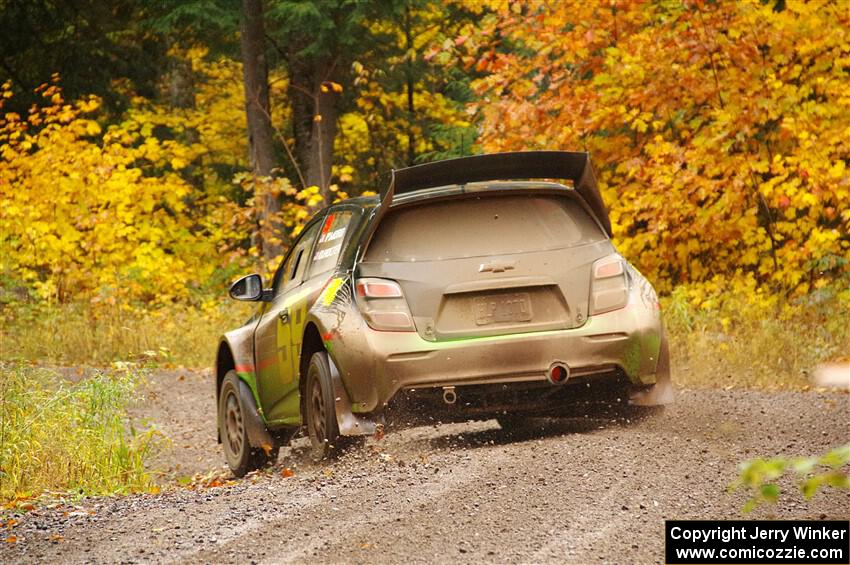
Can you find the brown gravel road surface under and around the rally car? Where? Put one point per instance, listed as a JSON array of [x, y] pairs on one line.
[[588, 490]]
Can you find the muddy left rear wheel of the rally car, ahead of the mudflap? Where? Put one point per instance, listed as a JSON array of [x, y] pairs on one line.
[[319, 412]]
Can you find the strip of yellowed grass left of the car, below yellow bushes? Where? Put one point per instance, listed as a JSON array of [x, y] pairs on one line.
[[79, 334]]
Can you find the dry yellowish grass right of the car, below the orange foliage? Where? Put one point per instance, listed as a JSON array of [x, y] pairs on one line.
[[743, 339]]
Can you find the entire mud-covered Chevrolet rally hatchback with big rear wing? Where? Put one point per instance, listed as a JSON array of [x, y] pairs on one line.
[[464, 291]]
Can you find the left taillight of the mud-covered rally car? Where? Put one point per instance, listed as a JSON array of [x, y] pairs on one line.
[[383, 305]]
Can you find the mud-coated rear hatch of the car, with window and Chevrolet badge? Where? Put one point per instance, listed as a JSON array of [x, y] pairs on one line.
[[489, 263]]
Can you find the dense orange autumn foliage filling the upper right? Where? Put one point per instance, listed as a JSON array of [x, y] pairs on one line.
[[719, 130]]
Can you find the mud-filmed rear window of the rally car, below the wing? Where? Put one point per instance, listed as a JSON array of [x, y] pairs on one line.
[[482, 225]]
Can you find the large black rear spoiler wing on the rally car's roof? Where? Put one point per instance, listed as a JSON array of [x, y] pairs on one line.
[[573, 166]]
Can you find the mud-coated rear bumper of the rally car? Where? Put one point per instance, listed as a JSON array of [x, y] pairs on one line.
[[374, 366]]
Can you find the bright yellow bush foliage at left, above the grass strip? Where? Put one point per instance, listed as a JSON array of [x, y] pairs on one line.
[[91, 214]]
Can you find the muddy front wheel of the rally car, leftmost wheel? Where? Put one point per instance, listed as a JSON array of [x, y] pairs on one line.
[[240, 456]]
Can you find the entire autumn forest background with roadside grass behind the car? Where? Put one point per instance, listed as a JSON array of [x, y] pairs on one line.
[[151, 152]]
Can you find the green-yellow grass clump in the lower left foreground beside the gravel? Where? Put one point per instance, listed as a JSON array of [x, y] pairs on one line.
[[69, 438]]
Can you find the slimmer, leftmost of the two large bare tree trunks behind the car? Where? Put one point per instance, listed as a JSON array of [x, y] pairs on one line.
[[258, 113]]
